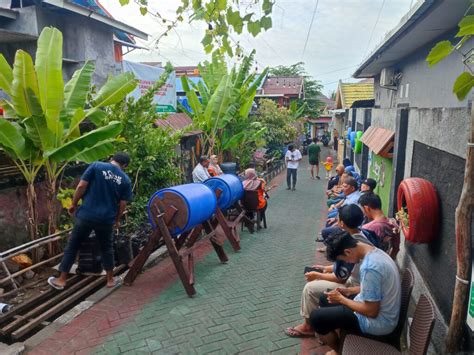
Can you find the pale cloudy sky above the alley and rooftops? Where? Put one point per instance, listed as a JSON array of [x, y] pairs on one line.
[[343, 33]]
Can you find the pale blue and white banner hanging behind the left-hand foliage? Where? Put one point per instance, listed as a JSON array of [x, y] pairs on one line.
[[165, 98]]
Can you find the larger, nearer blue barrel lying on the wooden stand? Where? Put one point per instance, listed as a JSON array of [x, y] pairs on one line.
[[196, 203]]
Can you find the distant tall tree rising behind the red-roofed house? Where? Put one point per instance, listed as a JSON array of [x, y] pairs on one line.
[[312, 87]]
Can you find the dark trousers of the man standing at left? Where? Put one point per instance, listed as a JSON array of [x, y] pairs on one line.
[[82, 229]]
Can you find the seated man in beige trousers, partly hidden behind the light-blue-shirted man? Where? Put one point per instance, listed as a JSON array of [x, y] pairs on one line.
[[331, 277]]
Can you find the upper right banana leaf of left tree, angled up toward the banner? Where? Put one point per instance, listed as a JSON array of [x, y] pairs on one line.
[[115, 90]]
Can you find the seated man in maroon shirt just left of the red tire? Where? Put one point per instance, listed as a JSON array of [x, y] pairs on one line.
[[385, 229]]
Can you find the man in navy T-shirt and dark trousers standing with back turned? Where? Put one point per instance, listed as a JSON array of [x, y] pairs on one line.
[[105, 190]]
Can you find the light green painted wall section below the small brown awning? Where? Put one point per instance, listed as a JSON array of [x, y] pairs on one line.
[[381, 171]]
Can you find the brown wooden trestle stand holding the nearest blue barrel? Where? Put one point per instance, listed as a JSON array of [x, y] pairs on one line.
[[179, 248]]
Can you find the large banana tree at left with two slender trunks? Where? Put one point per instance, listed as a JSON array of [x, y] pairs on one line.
[[41, 128]]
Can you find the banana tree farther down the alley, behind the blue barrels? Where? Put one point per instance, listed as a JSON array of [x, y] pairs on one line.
[[226, 100]]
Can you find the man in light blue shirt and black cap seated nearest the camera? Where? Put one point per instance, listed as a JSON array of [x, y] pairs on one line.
[[375, 309]]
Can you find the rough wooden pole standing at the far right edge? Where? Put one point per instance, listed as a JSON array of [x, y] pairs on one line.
[[463, 250]]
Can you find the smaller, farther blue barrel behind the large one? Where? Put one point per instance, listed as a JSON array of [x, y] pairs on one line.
[[231, 189]]
